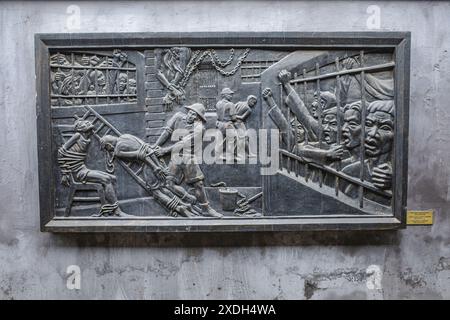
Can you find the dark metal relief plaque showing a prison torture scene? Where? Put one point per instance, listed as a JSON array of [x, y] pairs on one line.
[[209, 137]]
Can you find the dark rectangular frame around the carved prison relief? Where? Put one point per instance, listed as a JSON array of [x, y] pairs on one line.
[[399, 42]]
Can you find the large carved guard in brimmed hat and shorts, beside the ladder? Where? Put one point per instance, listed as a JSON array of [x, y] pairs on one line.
[[188, 171]]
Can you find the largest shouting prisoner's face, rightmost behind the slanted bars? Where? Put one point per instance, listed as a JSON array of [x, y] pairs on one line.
[[379, 133]]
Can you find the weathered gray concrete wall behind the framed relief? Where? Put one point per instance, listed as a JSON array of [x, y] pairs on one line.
[[413, 263]]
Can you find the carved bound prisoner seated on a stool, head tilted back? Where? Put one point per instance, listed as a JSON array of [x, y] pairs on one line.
[[72, 161]]
